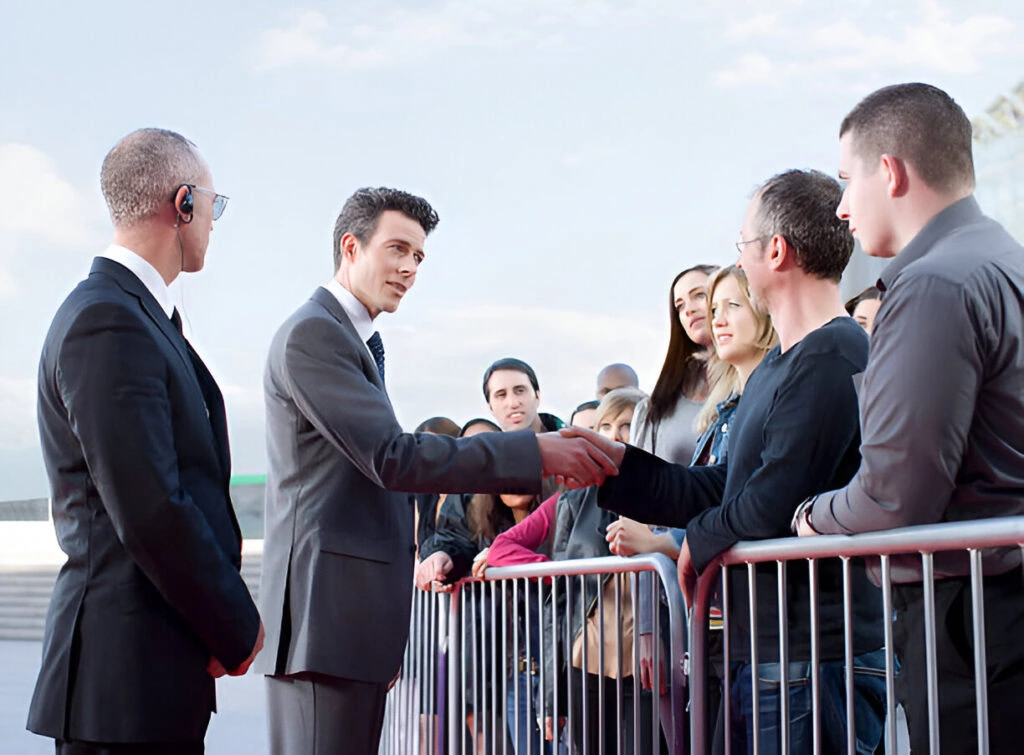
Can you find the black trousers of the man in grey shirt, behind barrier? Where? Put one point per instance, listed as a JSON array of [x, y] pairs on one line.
[[955, 655]]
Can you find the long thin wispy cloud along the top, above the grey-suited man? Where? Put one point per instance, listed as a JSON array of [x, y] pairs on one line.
[[395, 37]]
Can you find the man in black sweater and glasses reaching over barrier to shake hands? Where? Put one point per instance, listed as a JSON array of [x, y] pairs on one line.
[[796, 434]]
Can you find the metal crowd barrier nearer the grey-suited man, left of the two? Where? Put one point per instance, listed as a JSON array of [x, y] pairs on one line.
[[476, 655]]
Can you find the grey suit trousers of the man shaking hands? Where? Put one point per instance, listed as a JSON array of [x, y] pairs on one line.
[[317, 715]]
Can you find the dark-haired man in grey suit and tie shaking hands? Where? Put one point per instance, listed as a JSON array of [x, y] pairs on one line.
[[339, 548]]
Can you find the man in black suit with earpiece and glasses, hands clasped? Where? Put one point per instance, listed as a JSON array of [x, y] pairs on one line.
[[150, 606]]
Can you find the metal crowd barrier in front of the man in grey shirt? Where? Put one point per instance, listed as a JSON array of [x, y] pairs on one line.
[[883, 549]]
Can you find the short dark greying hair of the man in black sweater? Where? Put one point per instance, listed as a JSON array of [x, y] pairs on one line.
[[800, 206]]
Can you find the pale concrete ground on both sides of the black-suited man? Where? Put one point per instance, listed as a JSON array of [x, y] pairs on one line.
[[239, 728]]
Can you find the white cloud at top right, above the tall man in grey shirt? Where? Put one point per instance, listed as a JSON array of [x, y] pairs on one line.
[[803, 49]]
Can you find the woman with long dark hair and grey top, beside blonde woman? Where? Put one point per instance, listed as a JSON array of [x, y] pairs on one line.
[[664, 424]]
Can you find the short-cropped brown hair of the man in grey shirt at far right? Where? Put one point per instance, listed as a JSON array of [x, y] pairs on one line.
[[918, 123]]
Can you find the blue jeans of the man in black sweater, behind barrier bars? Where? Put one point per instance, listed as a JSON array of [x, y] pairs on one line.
[[870, 706]]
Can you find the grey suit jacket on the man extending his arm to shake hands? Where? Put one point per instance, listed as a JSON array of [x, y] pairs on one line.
[[338, 551]]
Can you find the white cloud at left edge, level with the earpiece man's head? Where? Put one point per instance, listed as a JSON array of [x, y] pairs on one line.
[[37, 205]]
